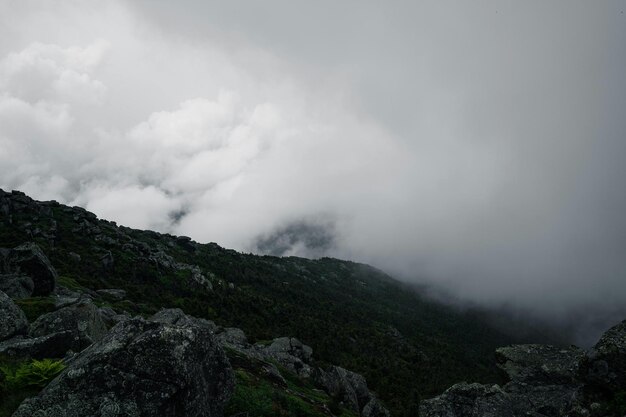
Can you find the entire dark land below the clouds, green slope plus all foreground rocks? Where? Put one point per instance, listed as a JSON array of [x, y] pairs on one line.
[[98, 319]]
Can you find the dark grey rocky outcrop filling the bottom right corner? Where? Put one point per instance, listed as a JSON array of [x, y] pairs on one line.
[[543, 381]]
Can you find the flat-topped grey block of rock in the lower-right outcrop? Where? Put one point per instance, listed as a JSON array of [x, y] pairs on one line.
[[540, 363]]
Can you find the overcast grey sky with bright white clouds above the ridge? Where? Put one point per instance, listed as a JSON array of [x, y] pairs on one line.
[[478, 145]]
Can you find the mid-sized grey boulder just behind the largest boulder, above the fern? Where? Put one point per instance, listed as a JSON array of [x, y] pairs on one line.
[[82, 320]]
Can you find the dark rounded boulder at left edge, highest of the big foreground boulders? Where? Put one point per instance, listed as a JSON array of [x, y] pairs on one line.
[[28, 259]]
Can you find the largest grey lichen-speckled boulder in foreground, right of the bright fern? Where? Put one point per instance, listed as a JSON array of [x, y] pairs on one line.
[[141, 368]]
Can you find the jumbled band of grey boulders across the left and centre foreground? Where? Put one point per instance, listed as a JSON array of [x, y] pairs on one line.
[[169, 364]]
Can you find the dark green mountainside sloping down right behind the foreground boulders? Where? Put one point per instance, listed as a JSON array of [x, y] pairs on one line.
[[352, 315]]
